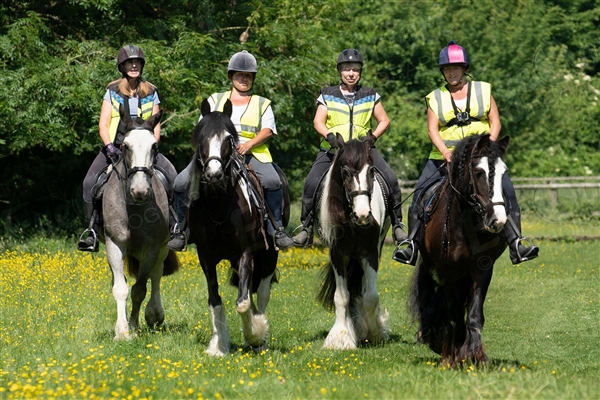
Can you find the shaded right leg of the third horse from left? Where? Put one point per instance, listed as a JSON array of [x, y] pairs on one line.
[[377, 322]]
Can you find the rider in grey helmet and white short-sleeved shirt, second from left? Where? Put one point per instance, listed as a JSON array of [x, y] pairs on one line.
[[255, 123]]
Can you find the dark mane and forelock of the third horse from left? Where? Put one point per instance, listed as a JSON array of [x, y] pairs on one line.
[[353, 155]]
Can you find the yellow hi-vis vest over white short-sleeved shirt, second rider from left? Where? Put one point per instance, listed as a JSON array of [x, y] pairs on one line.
[[251, 121]]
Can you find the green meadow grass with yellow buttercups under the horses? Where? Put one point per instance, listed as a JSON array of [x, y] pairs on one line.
[[58, 315]]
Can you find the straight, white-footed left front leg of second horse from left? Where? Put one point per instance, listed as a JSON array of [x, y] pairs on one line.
[[219, 343]]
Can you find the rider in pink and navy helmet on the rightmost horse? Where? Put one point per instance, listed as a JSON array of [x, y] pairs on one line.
[[456, 110]]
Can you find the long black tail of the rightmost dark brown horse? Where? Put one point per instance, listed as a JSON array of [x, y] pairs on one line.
[[427, 304]]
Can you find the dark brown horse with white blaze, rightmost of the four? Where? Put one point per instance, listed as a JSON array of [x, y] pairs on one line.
[[463, 238]]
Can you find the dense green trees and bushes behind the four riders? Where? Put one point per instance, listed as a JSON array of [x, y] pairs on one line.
[[57, 57]]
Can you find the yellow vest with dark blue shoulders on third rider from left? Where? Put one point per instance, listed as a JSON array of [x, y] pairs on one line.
[[350, 122]]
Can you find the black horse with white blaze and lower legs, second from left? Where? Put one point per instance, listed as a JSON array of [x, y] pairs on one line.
[[226, 219]]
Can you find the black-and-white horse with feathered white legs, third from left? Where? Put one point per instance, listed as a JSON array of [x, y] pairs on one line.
[[353, 221]]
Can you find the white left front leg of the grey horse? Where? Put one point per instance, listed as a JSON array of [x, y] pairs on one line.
[[120, 289]]
